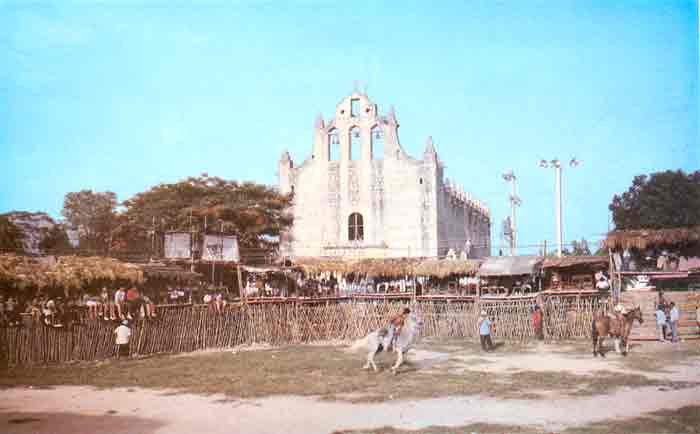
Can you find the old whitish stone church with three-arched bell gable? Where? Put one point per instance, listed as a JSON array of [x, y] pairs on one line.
[[360, 195]]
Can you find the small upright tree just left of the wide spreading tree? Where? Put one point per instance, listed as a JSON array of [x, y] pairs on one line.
[[92, 214]]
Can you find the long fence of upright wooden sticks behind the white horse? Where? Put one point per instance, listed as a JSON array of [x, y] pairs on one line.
[[189, 328]]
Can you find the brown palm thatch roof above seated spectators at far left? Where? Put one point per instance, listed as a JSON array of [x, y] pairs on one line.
[[64, 271]]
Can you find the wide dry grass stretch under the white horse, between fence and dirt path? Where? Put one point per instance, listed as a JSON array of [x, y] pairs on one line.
[[328, 372]]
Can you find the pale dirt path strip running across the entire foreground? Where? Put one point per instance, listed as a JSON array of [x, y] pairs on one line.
[[177, 413]]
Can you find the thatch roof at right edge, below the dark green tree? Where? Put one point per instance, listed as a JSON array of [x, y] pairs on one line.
[[644, 238]]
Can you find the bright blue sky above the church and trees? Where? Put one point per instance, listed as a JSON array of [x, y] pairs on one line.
[[123, 95]]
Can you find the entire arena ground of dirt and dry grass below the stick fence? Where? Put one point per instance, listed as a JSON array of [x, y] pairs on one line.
[[447, 386]]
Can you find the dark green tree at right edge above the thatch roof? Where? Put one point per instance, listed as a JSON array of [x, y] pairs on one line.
[[667, 199]]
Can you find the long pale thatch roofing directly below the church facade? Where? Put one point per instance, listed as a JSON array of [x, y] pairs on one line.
[[388, 267]]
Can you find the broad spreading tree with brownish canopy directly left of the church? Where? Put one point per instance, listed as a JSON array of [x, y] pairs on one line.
[[247, 210]]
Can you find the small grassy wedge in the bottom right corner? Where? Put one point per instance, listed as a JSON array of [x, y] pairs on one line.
[[683, 420]]
